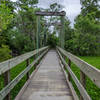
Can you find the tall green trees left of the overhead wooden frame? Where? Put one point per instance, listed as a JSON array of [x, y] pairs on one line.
[[19, 33]]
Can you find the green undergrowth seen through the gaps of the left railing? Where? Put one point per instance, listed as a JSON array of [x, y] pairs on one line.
[[15, 72]]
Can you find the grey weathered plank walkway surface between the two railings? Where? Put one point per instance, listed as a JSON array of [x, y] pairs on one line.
[[49, 81]]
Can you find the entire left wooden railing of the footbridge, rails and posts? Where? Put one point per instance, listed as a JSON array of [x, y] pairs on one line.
[[9, 64]]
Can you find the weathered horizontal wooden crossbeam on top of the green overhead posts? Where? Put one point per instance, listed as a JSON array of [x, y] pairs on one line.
[[40, 13]]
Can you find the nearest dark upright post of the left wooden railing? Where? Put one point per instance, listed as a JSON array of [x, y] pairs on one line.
[[6, 82]]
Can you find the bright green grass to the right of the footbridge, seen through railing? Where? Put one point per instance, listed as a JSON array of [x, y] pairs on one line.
[[92, 89]]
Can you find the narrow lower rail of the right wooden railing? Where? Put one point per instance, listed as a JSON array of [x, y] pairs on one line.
[[78, 84]]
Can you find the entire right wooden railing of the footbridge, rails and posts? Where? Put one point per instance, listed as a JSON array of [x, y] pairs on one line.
[[85, 70]]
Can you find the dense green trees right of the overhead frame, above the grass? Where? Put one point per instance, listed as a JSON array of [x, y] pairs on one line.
[[84, 39]]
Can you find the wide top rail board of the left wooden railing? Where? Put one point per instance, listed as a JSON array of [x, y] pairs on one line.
[[9, 64]]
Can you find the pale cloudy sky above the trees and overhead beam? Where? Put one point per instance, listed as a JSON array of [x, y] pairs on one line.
[[72, 7]]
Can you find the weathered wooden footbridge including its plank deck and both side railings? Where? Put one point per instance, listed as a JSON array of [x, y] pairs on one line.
[[49, 81]]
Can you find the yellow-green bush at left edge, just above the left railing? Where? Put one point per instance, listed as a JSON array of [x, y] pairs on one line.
[[5, 53]]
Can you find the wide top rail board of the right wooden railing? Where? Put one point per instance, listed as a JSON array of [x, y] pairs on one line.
[[89, 70]]
